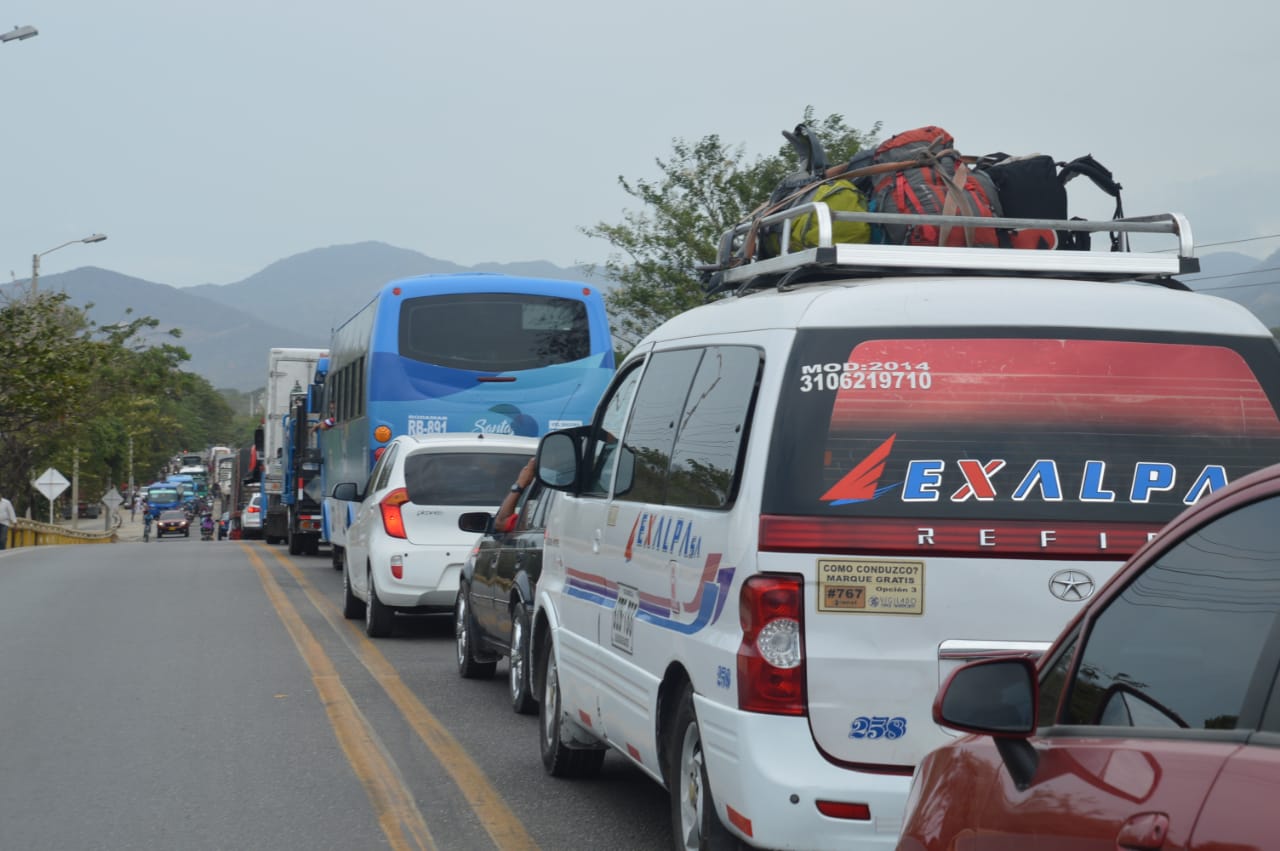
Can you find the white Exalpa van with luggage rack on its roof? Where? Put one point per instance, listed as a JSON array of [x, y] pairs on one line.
[[798, 509]]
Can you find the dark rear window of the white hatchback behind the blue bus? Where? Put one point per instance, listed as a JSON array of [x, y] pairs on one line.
[[463, 478]]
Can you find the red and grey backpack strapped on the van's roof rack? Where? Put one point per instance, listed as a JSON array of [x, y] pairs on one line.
[[932, 181]]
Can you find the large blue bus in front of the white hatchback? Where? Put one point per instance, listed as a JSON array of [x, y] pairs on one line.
[[467, 353]]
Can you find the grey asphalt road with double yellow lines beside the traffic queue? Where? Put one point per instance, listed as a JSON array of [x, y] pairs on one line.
[[182, 694]]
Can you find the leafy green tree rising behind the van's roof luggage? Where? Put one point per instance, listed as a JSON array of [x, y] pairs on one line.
[[705, 189]]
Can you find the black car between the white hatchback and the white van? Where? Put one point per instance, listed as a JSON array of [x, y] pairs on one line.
[[496, 594]]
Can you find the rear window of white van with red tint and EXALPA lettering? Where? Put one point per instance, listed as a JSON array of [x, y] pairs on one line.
[[1036, 431]]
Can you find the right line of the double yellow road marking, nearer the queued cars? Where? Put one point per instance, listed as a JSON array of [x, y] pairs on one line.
[[506, 831]]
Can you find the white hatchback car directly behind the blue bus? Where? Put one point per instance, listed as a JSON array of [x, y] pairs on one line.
[[405, 551]]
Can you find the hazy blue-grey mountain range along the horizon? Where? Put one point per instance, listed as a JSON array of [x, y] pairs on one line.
[[296, 303]]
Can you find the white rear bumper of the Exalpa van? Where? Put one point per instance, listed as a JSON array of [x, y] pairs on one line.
[[757, 763]]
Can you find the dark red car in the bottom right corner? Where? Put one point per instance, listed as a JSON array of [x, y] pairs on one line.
[[1154, 721]]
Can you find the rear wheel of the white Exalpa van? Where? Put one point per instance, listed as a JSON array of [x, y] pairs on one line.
[[694, 822]]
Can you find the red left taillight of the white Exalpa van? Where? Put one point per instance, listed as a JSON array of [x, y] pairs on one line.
[[771, 658]]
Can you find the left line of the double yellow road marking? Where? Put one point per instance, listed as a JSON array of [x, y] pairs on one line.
[[394, 804]]
